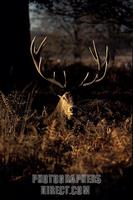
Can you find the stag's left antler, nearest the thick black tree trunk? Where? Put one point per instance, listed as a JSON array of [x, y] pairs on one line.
[[37, 59]]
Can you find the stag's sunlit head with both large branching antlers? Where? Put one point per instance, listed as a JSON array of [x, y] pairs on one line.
[[65, 106]]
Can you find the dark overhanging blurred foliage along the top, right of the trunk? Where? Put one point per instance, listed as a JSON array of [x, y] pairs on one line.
[[118, 11]]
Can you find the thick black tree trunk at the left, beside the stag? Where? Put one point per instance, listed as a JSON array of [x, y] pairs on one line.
[[16, 68]]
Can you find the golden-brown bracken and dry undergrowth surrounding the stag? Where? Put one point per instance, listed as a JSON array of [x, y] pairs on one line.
[[96, 140]]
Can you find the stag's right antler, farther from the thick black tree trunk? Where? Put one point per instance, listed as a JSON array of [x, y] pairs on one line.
[[97, 59]]
